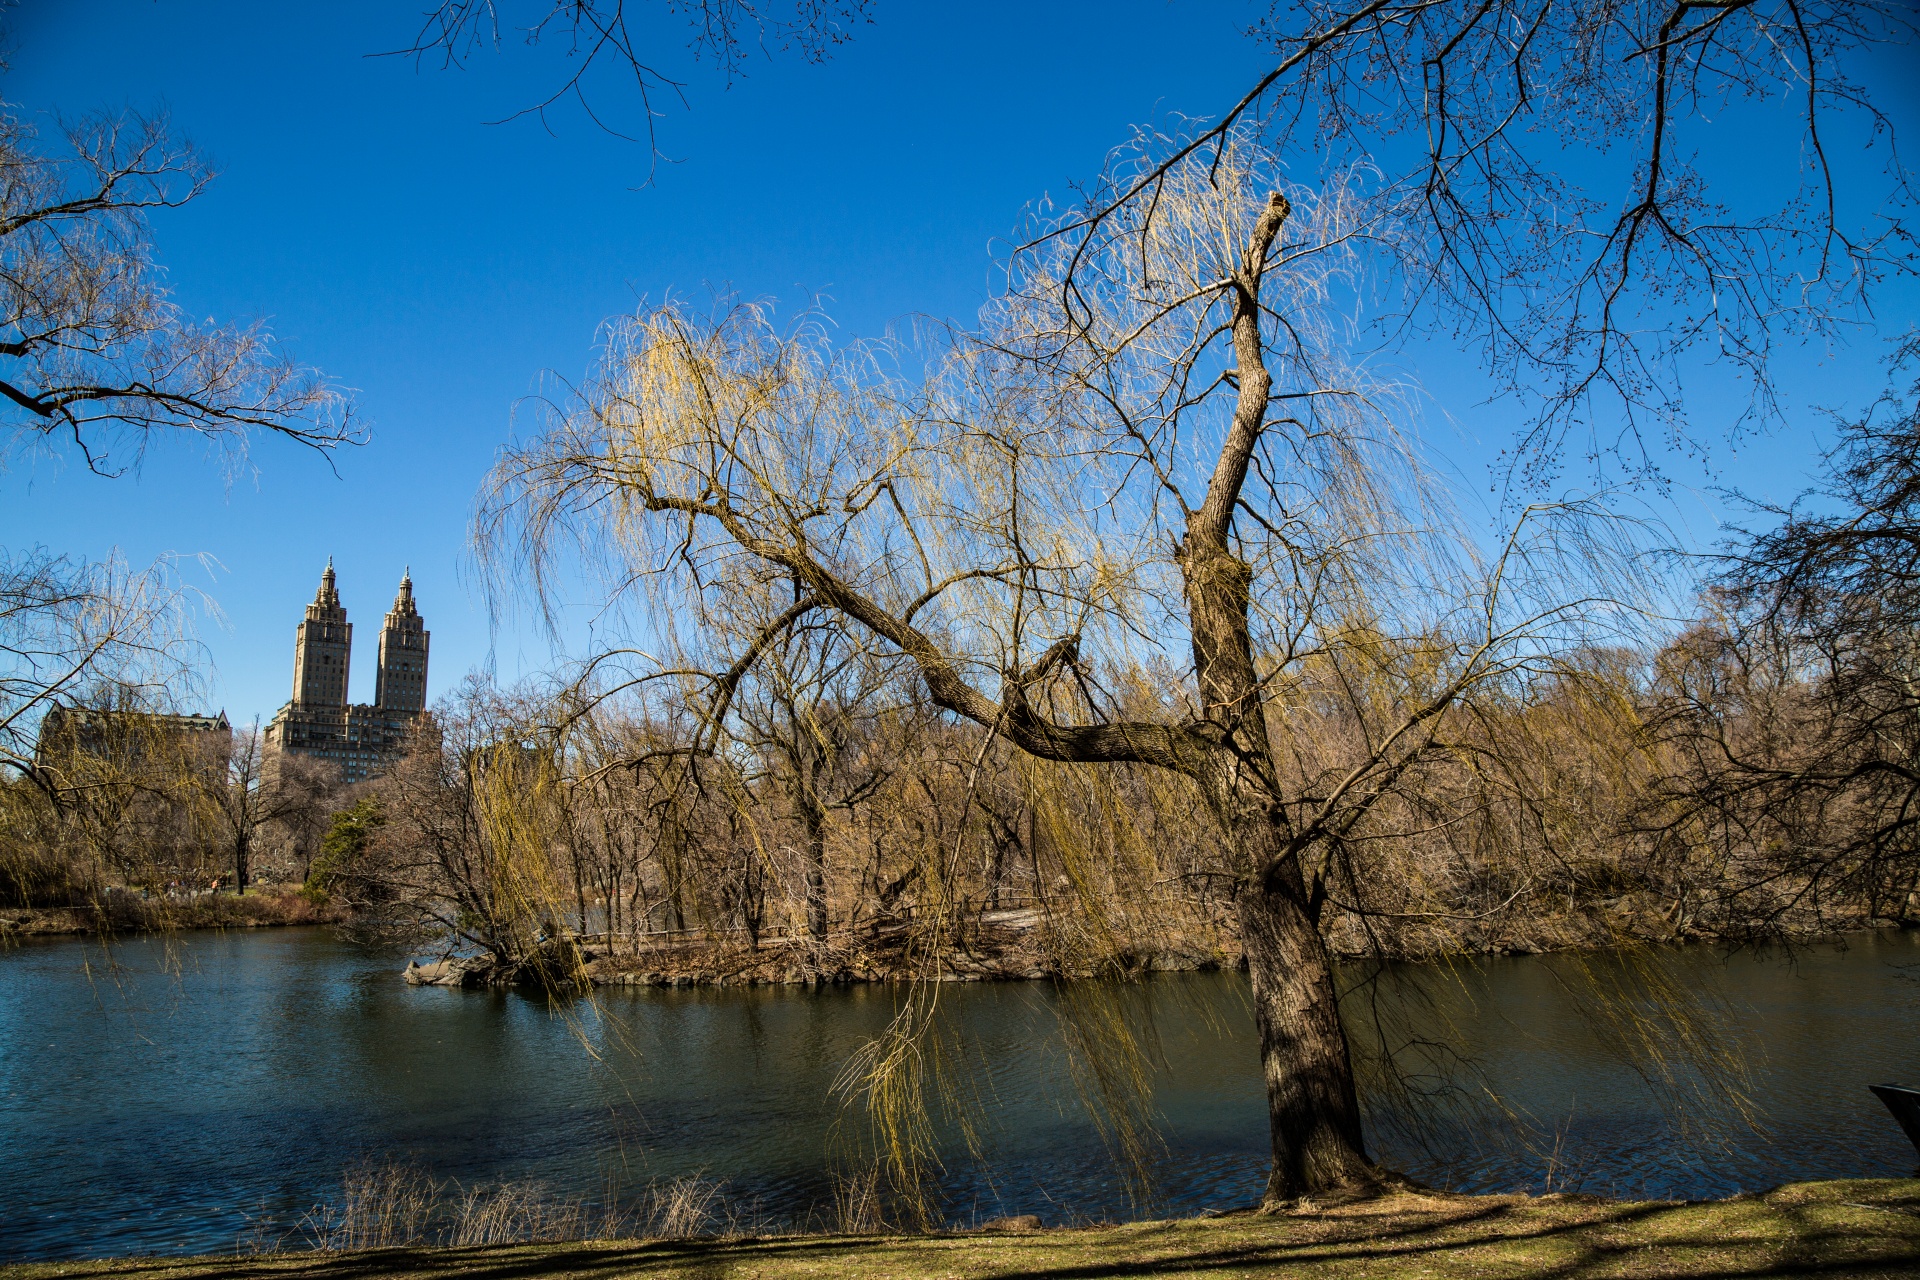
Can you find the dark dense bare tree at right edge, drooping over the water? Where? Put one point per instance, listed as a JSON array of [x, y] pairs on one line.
[[1794, 715]]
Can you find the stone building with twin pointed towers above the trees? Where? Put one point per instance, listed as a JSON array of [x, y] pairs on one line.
[[318, 723]]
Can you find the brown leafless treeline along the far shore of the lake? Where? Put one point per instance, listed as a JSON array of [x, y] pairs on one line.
[[1740, 784]]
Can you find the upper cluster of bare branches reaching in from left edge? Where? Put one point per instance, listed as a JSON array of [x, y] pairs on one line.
[[93, 354]]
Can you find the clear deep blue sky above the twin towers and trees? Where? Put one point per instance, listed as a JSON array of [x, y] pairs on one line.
[[439, 264]]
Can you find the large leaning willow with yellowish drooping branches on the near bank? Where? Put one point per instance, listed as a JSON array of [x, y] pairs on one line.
[[1180, 471]]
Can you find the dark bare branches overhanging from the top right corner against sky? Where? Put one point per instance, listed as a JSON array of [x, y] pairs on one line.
[[1581, 191]]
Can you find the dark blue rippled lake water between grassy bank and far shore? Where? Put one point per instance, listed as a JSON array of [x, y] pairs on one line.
[[162, 1097]]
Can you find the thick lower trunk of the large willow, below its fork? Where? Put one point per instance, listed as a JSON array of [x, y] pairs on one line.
[[1305, 1058]]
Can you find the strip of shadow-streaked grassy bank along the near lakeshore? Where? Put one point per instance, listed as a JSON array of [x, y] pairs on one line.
[[1812, 1229]]
